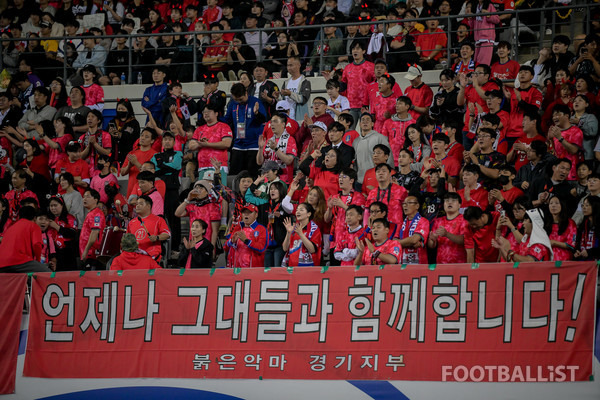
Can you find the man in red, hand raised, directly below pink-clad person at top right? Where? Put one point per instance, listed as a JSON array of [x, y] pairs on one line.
[[472, 93]]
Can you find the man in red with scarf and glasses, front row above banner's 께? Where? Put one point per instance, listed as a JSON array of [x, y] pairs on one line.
[[413, 233]]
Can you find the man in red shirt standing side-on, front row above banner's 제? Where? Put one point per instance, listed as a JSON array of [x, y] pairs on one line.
[[90, 238]]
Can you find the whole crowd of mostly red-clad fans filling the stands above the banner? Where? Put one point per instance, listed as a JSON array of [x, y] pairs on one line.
[[500, 163]]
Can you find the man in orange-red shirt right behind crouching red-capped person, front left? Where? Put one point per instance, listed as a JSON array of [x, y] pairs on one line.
[[149, 229]]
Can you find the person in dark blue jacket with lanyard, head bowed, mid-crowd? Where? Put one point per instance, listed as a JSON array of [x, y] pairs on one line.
[[246, 116]]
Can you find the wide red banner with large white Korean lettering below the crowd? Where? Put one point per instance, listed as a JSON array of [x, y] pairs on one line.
[[496, 322]]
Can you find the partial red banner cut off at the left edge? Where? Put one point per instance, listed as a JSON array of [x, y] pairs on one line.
[[12, 293]]
